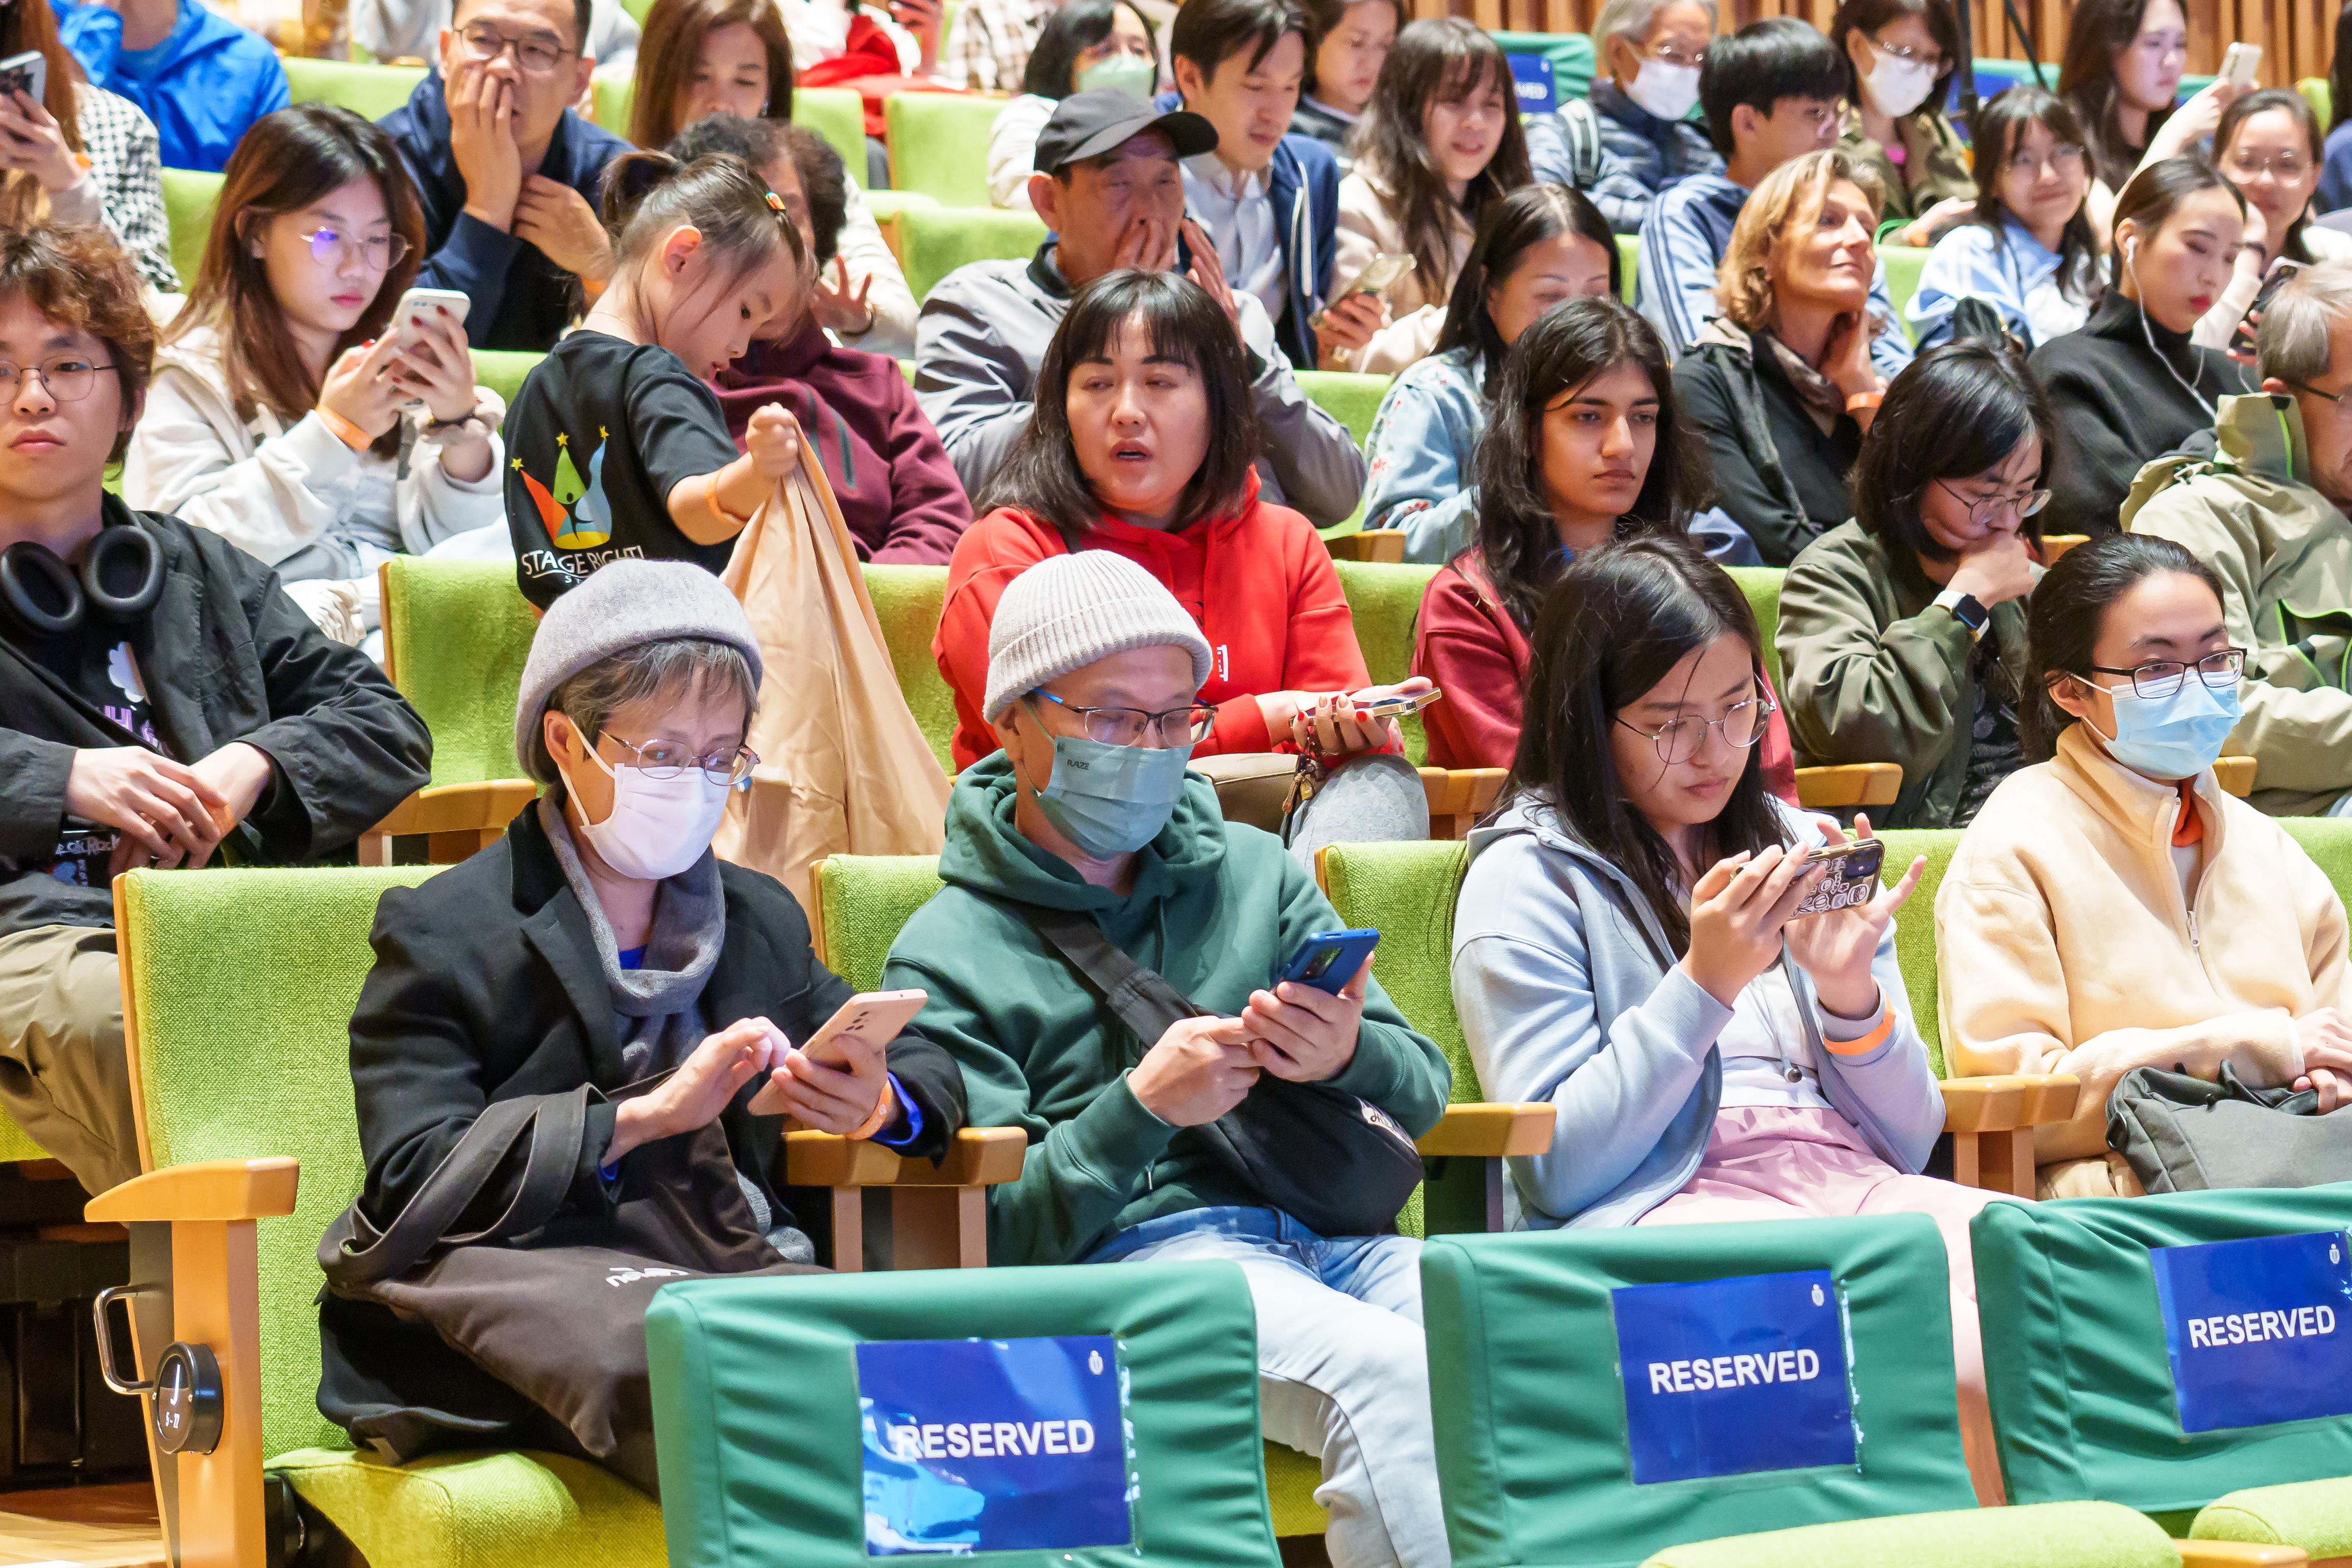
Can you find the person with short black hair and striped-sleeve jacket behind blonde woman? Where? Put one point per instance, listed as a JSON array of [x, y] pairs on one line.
[[1772, 95]]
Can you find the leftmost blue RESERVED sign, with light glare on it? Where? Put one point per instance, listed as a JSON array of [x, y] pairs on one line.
[[994, 1445]]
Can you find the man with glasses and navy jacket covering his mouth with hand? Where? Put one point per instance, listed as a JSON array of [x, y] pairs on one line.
[[507, 170]]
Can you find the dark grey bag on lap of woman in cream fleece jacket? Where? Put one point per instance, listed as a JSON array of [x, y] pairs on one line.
[[2189, 1134]]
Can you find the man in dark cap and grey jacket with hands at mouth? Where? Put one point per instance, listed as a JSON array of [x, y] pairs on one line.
[[1111, 192]]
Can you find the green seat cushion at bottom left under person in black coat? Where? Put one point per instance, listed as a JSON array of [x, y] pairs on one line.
[[481, 1510]]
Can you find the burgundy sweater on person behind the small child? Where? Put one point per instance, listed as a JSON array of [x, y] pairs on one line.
[[900, 495]]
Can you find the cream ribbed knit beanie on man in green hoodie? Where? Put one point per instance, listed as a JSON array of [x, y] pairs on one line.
[[1071, 610]]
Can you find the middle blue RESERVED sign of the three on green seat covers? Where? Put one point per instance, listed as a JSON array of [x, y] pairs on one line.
[[1732, 1376]]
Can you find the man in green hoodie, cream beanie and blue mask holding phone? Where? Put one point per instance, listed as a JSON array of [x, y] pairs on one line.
[[1093, 683]]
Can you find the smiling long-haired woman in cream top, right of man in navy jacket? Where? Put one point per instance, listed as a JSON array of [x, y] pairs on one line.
[[1436, 147]]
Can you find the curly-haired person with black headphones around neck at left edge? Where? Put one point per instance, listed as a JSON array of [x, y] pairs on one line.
[[163, 702]]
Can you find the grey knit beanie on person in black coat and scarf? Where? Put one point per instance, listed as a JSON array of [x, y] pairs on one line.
[[617, 610]]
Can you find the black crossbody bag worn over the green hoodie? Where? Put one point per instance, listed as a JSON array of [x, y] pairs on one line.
[[1330, 1160]]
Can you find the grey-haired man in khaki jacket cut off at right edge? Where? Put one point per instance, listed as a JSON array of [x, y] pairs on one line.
[[2266, 507]]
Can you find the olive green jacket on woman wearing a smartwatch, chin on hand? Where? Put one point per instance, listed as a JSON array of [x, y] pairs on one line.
[[1878, 674]]
